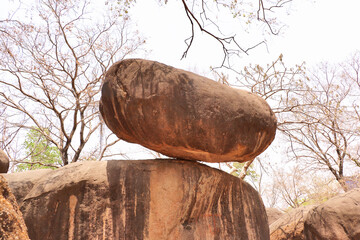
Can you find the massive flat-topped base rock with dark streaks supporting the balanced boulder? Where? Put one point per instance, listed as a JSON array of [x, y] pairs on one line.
[[155, 199]]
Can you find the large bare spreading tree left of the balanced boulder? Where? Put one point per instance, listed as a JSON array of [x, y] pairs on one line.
[[51, 71]]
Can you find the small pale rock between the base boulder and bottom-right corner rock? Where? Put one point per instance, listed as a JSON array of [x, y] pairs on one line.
[[290, 226]]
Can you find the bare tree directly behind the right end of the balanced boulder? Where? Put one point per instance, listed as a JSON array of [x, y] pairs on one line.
[[278, 84]]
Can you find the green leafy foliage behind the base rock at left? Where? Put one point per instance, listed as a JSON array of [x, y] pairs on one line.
[[42, 154]]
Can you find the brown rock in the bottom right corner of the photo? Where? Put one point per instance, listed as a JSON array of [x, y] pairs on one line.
[[336, 219]]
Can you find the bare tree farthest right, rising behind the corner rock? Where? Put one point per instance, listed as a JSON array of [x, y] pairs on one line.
[[324, 133]]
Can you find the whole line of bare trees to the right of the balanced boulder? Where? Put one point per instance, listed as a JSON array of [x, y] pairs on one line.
[[318, 127]]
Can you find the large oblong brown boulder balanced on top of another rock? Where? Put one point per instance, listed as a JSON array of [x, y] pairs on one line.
[[184, 115]]
